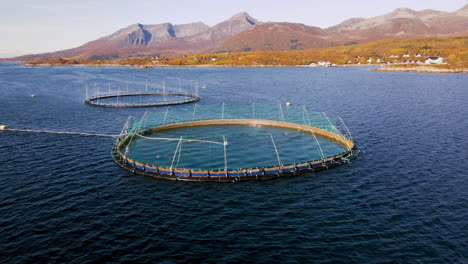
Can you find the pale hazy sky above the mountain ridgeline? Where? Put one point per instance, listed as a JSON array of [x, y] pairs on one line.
[[37, 26]]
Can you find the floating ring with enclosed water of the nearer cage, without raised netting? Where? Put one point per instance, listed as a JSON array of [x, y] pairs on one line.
[[145, 162]]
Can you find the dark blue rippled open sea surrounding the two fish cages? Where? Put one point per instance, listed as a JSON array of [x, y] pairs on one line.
[[404, 200]]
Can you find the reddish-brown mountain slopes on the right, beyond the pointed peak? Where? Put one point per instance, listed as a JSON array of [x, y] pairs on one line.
[[401, 23]]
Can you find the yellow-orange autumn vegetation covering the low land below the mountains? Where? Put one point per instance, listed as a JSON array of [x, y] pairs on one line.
[[454, 49]]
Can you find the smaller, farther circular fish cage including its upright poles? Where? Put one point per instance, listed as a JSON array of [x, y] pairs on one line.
[[120, 96]]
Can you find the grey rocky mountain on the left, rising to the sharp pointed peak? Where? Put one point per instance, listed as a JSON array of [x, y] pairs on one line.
[[155, 40]]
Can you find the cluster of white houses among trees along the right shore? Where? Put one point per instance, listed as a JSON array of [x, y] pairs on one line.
[[393, 59]]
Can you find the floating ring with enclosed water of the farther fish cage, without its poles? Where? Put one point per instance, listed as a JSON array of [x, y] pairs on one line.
[[177, 98]]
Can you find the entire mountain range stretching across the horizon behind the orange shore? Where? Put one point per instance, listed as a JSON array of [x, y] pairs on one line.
[[242, 33]]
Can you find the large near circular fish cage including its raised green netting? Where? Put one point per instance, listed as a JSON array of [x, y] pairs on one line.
[[228, 143]]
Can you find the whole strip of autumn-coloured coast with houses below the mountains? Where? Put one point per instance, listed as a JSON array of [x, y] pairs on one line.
[[402, 55]]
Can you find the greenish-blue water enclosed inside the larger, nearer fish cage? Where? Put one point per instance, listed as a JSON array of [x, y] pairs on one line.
[[248, 147]]
